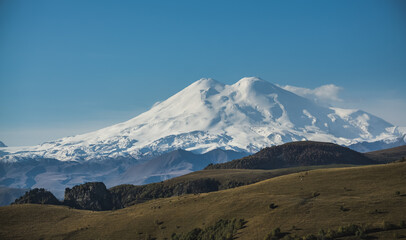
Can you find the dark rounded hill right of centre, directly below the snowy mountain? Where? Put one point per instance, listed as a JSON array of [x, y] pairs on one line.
[[303, 153]]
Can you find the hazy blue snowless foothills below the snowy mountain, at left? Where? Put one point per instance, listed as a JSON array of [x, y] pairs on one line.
[[56, 175]]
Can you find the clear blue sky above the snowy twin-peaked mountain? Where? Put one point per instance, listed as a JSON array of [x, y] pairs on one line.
[[68, 67]]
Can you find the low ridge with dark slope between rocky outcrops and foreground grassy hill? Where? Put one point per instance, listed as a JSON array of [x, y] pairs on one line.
[[198, 182]]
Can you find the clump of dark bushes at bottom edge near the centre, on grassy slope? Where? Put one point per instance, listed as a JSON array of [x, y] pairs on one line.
[[222, 230]]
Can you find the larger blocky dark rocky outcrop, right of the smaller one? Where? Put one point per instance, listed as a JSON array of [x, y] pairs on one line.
[[90, 196]]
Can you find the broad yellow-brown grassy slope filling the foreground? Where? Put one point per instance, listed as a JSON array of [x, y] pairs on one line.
[[299, 204]]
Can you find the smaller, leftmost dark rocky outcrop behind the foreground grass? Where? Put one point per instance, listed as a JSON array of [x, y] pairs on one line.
[[38, 196]]
